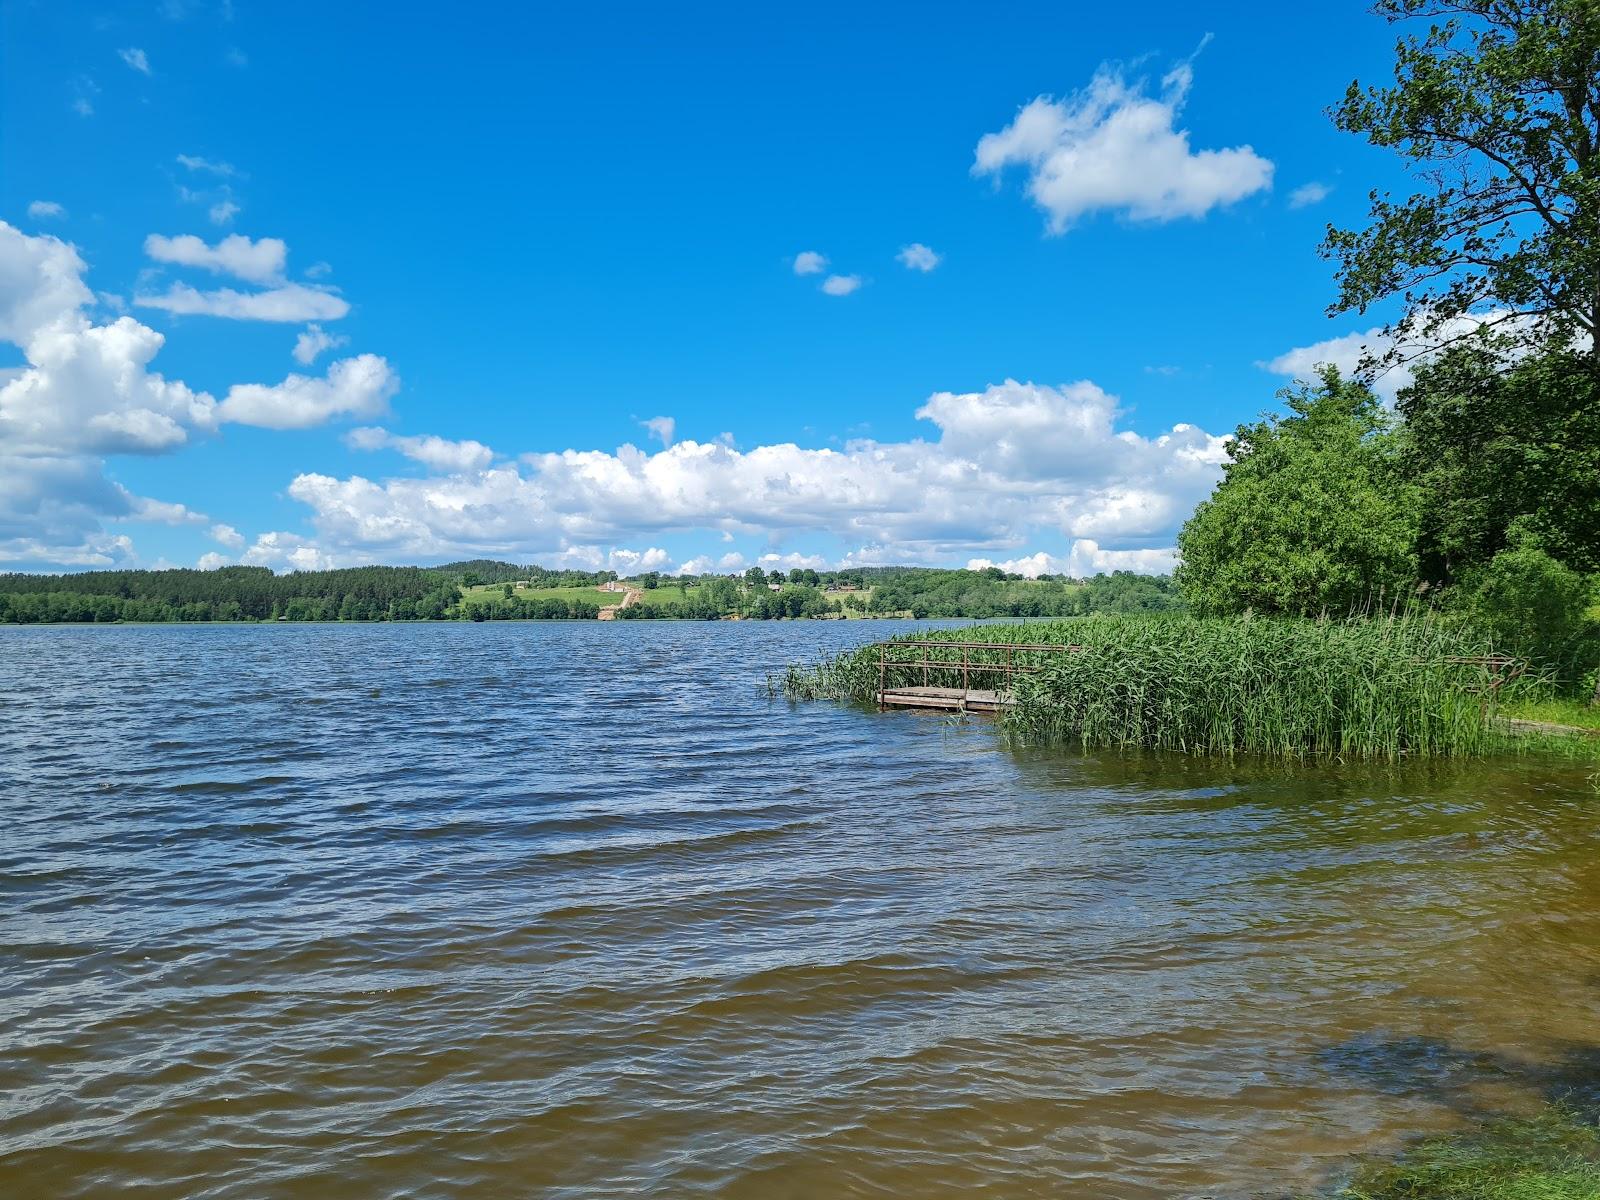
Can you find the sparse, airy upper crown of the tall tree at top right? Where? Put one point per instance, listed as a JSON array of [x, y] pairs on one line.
[[1497, 110]]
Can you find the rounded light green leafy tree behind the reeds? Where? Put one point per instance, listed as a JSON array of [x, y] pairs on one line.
[[1313, 513]]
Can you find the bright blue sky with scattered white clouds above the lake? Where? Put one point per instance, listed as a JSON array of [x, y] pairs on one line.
[[527, 236]]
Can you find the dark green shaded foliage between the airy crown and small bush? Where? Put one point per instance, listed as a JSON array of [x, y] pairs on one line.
[[1492, 442]]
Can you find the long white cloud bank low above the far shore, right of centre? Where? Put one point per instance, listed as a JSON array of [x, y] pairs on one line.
[[1009, 465]]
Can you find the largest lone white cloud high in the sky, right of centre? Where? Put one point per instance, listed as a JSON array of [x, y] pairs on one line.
[[1114, 148]]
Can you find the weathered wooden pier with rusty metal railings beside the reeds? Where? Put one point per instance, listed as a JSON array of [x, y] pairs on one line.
[[998, 674]]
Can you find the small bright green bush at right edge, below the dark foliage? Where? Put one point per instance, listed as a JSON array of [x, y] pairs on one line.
[[1534, 606]]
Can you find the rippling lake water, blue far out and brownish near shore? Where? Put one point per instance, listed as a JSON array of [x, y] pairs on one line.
[[575, 911]]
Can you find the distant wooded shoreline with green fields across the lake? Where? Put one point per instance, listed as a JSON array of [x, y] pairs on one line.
[[434, 594]]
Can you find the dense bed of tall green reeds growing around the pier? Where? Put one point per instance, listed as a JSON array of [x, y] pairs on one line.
[[1361, 689]]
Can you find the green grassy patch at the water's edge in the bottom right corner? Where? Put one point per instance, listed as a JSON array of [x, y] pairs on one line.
[[1553, 1156]]
